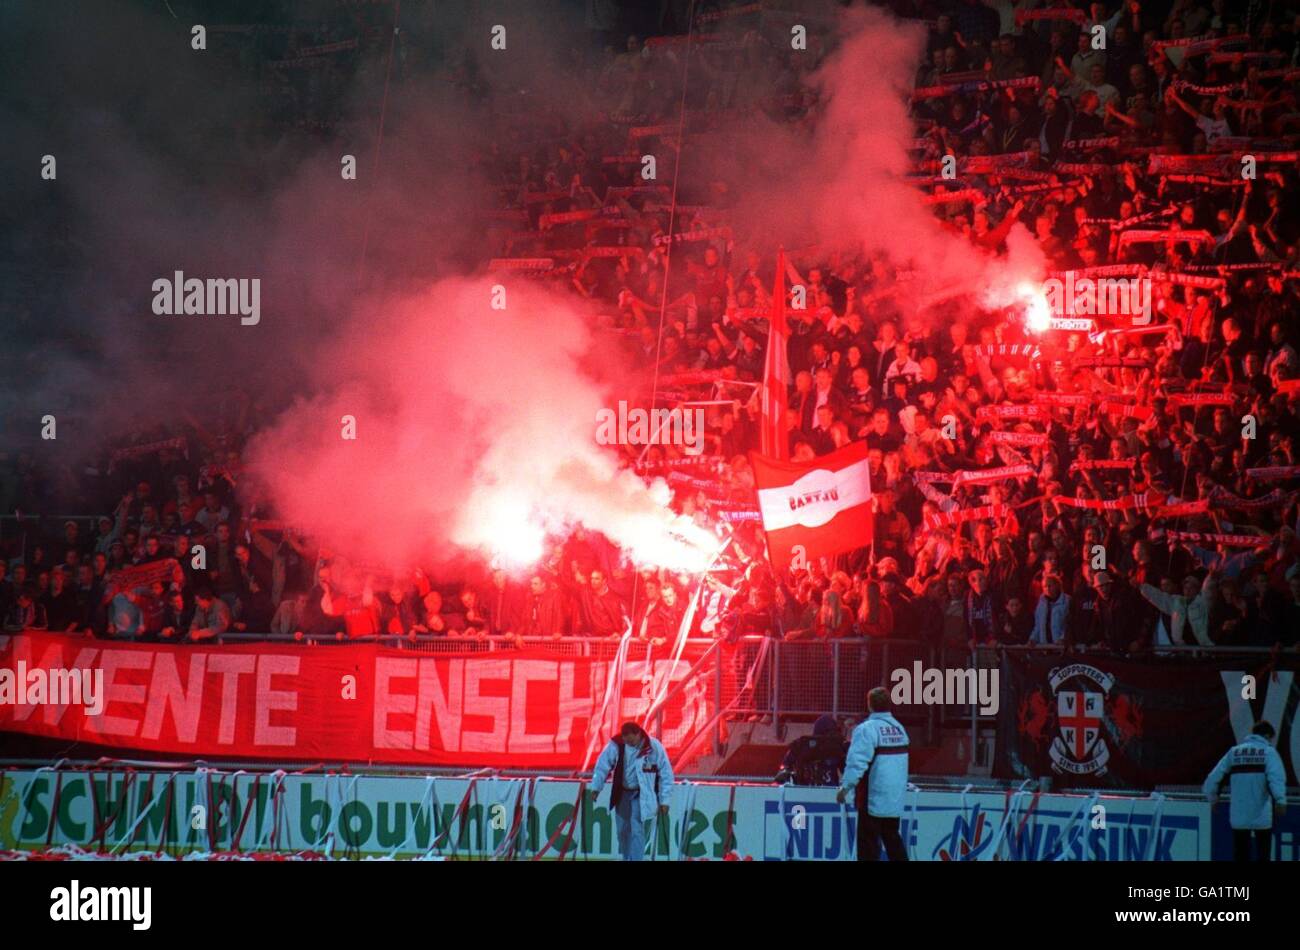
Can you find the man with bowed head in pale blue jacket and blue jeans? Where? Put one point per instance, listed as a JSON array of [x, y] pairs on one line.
[[642, 788]]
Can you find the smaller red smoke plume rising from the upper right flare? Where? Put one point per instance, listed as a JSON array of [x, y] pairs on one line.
[[842, 184]]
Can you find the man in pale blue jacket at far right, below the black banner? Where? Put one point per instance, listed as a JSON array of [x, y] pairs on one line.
[[1258, 777]]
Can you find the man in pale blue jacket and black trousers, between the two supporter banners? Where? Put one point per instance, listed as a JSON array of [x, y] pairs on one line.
[[879, 754]]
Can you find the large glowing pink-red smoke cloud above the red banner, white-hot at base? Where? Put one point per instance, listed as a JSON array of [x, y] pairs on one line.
[[474, 432]]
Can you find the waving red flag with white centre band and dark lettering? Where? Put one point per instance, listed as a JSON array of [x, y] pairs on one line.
[[822, 506]]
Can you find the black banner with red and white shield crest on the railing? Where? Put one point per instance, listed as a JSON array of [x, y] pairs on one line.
[[1120, 723]]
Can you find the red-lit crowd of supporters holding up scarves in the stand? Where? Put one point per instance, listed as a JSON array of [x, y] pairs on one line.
[[1121, 488]]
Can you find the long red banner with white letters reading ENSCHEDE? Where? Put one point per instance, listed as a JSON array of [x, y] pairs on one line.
[[348, 702]]
